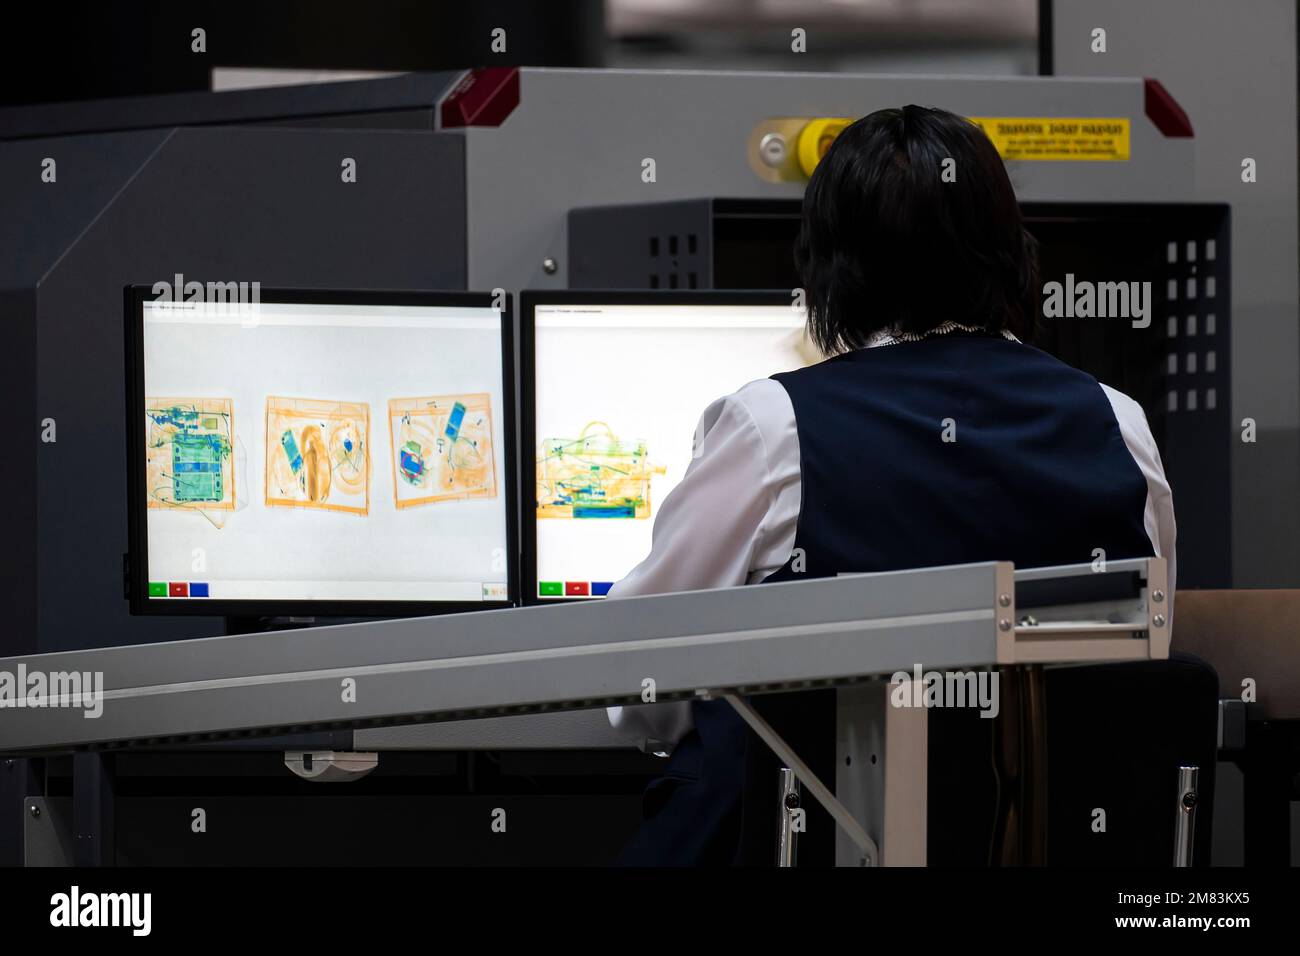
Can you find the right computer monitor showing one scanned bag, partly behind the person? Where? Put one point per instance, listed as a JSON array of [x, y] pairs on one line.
[[613, 388]]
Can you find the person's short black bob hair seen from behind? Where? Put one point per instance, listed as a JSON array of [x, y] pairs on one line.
[[887, 245]]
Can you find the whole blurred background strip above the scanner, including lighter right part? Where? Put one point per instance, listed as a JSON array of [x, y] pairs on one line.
[[72, 51]]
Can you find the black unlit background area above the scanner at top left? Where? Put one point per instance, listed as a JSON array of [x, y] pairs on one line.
[[62, 51]]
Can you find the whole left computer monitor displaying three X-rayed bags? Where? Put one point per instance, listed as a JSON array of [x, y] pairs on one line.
[[326, 453]]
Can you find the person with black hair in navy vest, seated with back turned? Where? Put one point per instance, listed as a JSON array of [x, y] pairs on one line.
[[933, 435]]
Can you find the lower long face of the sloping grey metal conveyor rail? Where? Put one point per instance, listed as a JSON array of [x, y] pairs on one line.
[[435, 690]]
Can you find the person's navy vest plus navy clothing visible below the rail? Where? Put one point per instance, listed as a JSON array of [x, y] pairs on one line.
[[1034, 470]]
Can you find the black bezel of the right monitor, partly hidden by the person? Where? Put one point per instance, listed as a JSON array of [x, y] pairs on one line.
[[528, 302]]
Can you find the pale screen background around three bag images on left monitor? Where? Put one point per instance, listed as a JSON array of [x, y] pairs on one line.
[[356, 354]]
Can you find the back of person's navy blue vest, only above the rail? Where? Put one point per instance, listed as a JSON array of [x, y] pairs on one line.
[[957, 449]]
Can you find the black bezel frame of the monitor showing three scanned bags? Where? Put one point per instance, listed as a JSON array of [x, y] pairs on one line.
[[137, 577]]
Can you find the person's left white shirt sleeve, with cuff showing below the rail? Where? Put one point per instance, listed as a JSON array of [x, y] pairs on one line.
[[730, 522]]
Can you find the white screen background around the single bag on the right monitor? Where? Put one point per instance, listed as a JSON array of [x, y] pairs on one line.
[[649, 373]]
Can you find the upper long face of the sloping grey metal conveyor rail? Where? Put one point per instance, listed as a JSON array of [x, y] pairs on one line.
[[454, 637]]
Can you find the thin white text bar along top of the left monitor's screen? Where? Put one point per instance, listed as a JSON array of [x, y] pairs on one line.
[[322, 315]]
